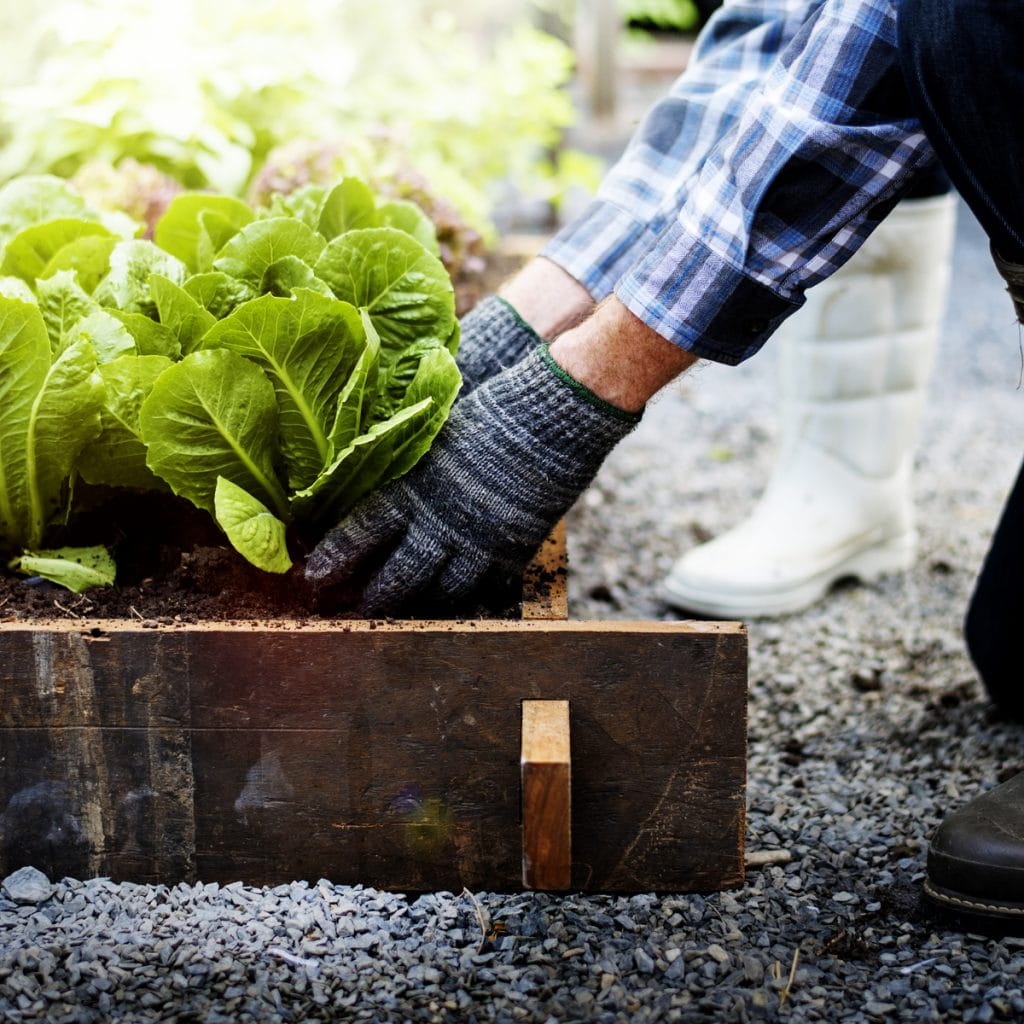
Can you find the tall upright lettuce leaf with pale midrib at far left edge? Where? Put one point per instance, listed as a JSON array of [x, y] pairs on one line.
[[50, 411]]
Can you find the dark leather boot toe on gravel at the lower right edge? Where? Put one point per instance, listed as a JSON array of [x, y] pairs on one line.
[[976, 860]]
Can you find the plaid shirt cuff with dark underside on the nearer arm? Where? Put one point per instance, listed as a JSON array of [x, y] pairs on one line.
[[694, 298]]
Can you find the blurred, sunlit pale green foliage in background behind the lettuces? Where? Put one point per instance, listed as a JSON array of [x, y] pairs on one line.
[[204, 93]]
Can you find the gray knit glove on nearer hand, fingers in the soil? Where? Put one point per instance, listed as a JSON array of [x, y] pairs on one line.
[[513, 459]]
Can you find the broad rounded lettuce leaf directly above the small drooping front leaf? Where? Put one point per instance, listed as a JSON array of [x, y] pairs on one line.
[[211, 415]]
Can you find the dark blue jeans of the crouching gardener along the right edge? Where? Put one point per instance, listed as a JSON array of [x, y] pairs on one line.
[[964, 66]]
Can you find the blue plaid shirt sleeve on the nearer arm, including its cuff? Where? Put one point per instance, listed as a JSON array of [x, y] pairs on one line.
[[822, 151]]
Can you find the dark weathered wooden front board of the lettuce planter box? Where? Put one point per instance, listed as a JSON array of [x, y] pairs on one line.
[[387, 754]]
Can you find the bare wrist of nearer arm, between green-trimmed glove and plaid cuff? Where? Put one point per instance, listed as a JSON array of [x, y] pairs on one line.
[[619, 358]]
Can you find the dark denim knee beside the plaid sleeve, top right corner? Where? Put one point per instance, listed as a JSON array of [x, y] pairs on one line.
[[964, 65]]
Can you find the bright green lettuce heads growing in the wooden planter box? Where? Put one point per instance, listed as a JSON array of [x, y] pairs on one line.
[[272, 368]]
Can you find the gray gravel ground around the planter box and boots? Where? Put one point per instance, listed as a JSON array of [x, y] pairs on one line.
[[868, 726]]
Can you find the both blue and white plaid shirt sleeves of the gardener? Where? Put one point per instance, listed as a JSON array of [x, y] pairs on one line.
[[773, 158]]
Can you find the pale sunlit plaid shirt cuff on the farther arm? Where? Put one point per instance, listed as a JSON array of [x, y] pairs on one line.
[[600, 247]]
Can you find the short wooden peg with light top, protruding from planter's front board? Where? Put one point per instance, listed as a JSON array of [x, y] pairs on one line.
[[546, 777]]
